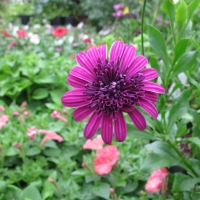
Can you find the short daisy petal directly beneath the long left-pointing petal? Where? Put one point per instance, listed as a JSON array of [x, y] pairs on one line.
[[82, 113]]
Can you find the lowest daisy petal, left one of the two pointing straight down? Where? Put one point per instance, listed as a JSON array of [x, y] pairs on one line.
[[107, 129]]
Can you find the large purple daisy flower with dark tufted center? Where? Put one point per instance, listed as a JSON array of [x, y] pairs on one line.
[[104, 88]]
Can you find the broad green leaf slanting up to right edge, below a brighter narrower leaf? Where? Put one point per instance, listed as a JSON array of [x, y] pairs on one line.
[[185, 62]]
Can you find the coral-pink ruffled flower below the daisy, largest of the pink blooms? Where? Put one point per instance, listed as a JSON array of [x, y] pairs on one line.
[[106, 158]]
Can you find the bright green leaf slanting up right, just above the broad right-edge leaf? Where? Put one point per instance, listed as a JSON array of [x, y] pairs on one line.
[[180, 48]]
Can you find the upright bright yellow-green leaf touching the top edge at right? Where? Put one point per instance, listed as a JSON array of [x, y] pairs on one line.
[[181, 16]]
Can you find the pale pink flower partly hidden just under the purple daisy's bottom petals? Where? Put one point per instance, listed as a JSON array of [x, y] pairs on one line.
[[94, 144]]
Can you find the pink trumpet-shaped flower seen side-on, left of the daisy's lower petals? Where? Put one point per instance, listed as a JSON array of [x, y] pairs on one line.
[[49, 135]]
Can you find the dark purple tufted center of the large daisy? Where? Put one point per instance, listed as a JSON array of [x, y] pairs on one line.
[[113, 90]]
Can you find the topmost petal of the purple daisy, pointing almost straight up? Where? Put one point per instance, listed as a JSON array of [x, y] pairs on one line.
[[117, 50]]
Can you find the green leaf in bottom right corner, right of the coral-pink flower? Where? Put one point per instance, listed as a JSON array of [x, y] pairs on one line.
[[184, 183]]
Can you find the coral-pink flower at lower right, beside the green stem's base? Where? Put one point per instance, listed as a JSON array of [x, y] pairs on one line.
[[156, 180]]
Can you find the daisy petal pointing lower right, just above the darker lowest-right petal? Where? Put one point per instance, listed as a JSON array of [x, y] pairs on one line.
[[148, 107]]
